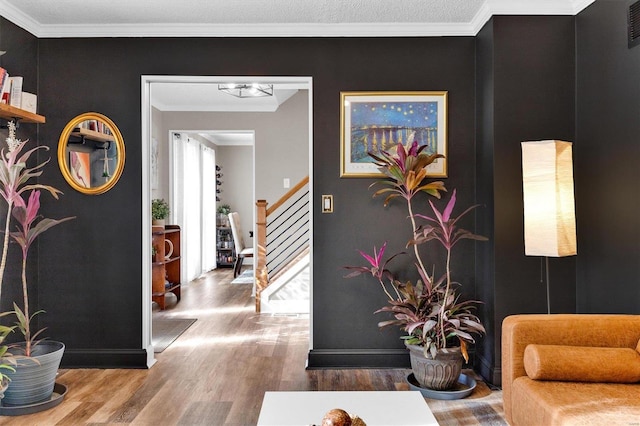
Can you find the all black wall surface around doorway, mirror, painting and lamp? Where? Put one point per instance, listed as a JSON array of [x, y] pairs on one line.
[[520, 78]]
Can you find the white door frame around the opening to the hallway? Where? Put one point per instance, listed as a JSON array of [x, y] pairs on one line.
[[146, 81]]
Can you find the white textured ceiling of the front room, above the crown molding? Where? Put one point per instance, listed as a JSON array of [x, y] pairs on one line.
[[247, 11]]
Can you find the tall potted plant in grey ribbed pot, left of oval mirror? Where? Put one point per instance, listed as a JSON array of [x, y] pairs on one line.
[[34, 356]]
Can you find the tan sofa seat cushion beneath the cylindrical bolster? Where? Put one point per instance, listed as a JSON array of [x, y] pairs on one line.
[[538, 402]]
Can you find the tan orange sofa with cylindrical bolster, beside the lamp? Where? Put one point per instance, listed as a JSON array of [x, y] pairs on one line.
[[553, 400]]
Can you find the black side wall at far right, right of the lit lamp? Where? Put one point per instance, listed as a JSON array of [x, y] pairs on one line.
[[608, 176]]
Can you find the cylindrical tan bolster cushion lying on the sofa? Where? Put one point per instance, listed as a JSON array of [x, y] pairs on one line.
[[582, 364]]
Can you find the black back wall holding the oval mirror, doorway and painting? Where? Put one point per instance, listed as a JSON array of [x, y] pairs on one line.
[[103, 286]]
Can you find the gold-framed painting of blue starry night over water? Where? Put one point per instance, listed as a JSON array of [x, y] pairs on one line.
[[374, 121]]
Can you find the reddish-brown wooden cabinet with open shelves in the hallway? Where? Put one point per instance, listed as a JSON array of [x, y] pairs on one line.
[[165, 277]]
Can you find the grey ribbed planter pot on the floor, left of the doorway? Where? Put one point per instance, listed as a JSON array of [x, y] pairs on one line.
[[33, 380]]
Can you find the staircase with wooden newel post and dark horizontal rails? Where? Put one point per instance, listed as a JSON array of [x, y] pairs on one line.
[[282, 255]]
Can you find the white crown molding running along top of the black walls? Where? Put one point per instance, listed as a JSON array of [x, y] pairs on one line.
[[486, 11]]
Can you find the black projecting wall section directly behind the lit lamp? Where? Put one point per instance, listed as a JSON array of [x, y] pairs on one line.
[[526, 75]]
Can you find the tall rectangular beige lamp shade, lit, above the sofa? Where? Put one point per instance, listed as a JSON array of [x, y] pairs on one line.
[[549, 212]]
